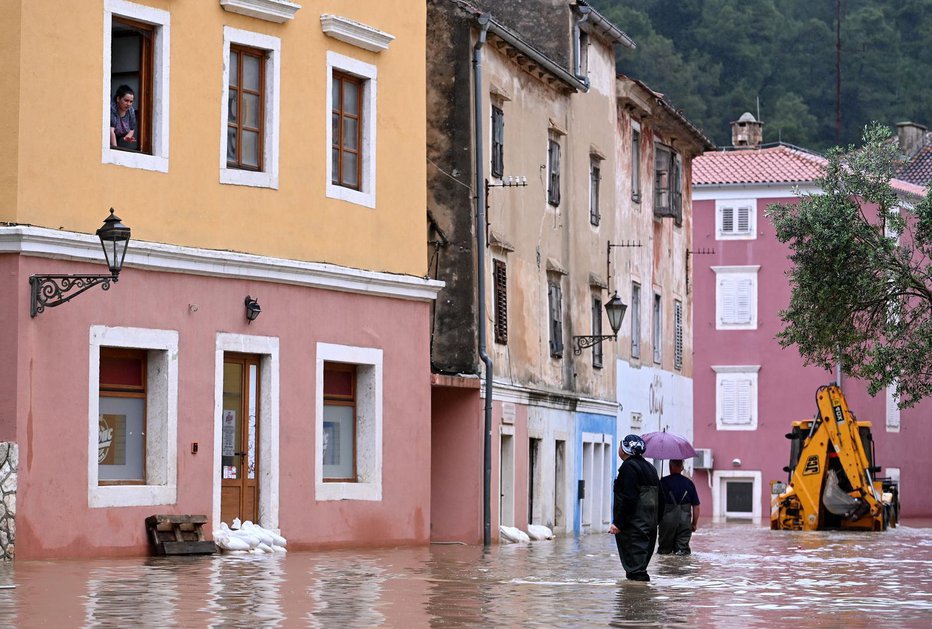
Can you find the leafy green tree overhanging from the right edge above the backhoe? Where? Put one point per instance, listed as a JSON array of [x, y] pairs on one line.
[[861, 275]]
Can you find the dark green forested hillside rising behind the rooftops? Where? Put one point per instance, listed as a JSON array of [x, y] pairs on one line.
[[715, 58]]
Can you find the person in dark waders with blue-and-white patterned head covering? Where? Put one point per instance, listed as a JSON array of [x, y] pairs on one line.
[[636, 510]]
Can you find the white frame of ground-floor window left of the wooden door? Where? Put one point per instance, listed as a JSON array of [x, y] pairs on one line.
[[161, 411]]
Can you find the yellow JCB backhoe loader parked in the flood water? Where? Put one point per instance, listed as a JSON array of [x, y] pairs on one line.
[[832, 483]]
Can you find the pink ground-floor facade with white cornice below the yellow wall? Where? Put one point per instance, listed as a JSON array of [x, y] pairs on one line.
[[192, 328]]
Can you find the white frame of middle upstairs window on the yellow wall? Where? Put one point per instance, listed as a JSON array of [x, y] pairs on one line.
[[268, 176]]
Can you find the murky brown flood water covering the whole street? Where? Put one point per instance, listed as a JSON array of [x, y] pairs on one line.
[[740, 575]]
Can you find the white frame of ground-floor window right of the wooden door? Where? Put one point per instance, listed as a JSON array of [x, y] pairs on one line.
[[368, 485]]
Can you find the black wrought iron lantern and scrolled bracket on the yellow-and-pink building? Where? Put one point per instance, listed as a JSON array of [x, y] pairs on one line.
[[49, 291]]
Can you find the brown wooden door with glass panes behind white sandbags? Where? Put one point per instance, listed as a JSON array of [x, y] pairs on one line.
[[239, 444]]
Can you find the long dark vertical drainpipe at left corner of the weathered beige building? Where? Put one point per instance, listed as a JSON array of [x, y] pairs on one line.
[[478, 117]]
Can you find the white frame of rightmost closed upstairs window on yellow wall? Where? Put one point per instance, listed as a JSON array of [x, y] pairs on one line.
[[369, 74]]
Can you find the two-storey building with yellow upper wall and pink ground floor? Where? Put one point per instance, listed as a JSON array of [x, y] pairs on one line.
[[263, 152]]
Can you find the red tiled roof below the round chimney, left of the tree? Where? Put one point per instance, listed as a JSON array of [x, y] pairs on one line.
[[776, 164]]
